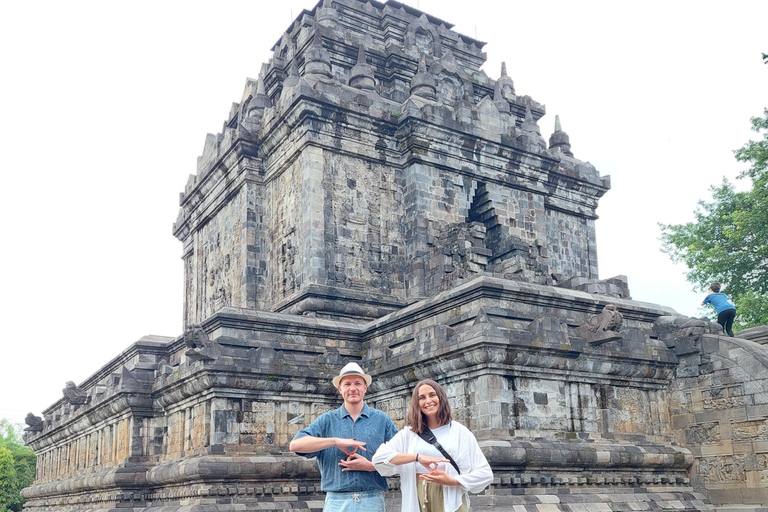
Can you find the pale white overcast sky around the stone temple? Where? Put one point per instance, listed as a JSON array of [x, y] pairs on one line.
[[104, 109]]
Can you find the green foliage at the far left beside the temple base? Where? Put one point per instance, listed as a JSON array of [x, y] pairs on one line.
[[17, 466]]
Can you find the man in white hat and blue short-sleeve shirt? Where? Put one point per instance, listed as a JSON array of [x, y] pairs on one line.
[[344, 441]]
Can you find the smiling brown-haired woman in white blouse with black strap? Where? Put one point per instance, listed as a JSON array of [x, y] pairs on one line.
[[428, 481]]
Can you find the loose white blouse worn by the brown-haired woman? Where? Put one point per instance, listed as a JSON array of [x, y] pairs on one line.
[[461, 444]]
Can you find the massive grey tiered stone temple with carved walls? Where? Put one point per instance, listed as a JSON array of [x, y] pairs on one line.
[[377, 197]]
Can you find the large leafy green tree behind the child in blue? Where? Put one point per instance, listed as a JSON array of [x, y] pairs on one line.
[[728, 241]]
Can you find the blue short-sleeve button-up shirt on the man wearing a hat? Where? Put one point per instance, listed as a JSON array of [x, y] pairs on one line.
[[372, 426]]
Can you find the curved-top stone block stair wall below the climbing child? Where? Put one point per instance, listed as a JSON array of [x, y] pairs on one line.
[[719, 406]]
